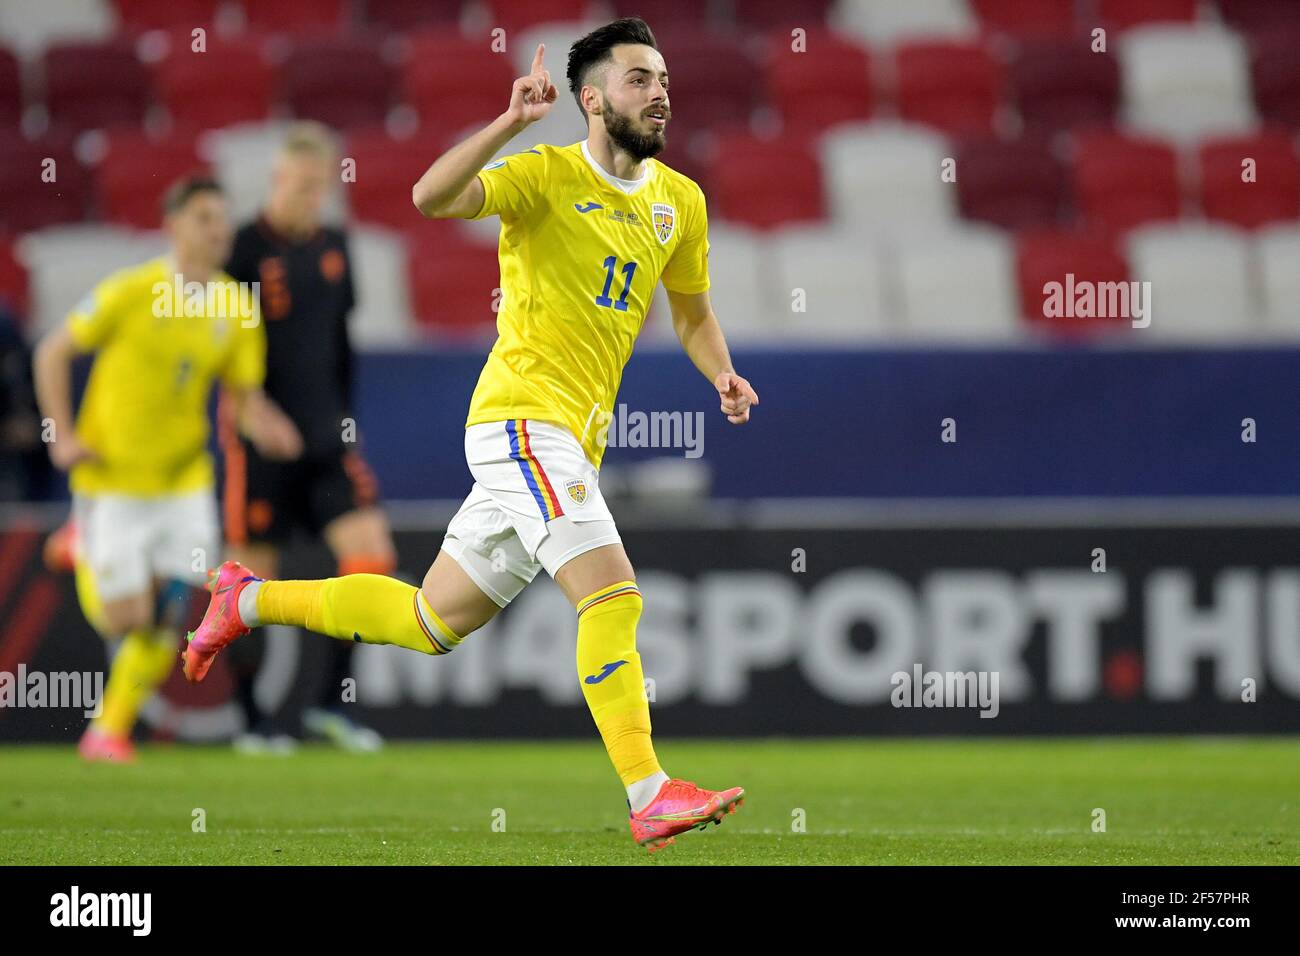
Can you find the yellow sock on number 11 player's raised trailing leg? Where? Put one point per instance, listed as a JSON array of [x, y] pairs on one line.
[[367, 608]]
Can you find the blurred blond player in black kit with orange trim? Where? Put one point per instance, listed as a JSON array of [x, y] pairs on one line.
[[306, 278]]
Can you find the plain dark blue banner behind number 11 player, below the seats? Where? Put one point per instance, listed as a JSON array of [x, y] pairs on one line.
[[902, 425]]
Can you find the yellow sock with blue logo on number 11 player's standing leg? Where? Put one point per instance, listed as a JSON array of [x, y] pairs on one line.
[[609, 669]]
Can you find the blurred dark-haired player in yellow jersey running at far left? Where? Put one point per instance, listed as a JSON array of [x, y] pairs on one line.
[[142, 481]]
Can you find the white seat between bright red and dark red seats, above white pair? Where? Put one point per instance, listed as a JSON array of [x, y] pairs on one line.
[[886, 176]]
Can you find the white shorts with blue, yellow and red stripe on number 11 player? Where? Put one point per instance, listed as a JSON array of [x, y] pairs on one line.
[[535, 504]]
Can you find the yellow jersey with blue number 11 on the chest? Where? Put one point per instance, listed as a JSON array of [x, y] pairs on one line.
[[580, 259]]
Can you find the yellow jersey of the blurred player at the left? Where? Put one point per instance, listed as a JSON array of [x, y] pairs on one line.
[[145, 412]]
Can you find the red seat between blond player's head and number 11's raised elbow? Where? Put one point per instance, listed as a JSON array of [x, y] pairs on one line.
[[387, 170]]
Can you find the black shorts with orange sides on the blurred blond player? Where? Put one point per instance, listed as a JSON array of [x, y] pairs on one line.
[[265, 501]]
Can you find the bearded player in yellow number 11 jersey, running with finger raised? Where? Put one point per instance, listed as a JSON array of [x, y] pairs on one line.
[[588, 232]]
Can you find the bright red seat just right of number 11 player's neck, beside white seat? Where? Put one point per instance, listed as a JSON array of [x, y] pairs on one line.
[[766, 184]]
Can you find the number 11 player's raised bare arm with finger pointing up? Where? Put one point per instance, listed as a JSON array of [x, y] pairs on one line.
[[452, 189]]
